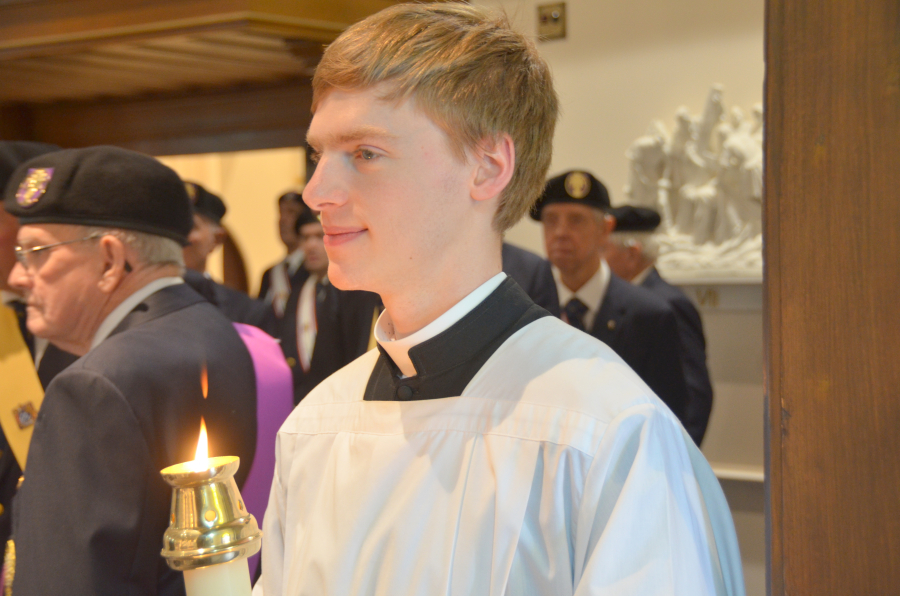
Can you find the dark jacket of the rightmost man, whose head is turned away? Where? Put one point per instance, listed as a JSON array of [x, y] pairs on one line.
[[693, 344]]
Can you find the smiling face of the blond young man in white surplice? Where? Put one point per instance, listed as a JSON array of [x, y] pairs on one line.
[[392, 195]]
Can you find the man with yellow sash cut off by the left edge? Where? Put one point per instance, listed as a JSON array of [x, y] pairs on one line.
[[21, 385]]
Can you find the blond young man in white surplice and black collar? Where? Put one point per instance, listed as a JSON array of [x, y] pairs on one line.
[[484, 447]]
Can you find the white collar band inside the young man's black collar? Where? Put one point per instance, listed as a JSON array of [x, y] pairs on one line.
[[398, 349]]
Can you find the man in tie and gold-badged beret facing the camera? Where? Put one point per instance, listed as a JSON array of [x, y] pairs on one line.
[[637, 325]]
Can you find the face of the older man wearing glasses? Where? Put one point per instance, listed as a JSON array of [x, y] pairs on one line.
[[60, 288]]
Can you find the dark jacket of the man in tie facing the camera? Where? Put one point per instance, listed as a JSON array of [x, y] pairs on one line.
[[641, 329]]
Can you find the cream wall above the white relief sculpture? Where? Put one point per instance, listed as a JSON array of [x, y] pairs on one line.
[[627, 62]]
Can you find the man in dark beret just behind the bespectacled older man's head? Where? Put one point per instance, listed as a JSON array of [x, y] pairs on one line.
[[207, 235]]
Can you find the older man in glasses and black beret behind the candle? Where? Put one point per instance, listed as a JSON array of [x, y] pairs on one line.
[[99, 262]]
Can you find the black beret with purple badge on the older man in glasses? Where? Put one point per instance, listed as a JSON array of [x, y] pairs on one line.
[[101, 186]]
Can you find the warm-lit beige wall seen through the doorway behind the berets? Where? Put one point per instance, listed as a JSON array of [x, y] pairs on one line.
[[249, 182]]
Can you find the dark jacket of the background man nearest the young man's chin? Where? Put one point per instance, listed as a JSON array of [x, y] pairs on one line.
[[343, 322]]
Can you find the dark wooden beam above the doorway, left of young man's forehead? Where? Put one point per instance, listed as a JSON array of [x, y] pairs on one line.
[[234, 119]]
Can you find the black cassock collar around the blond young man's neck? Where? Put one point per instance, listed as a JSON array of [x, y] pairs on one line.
[[447, 362]]
